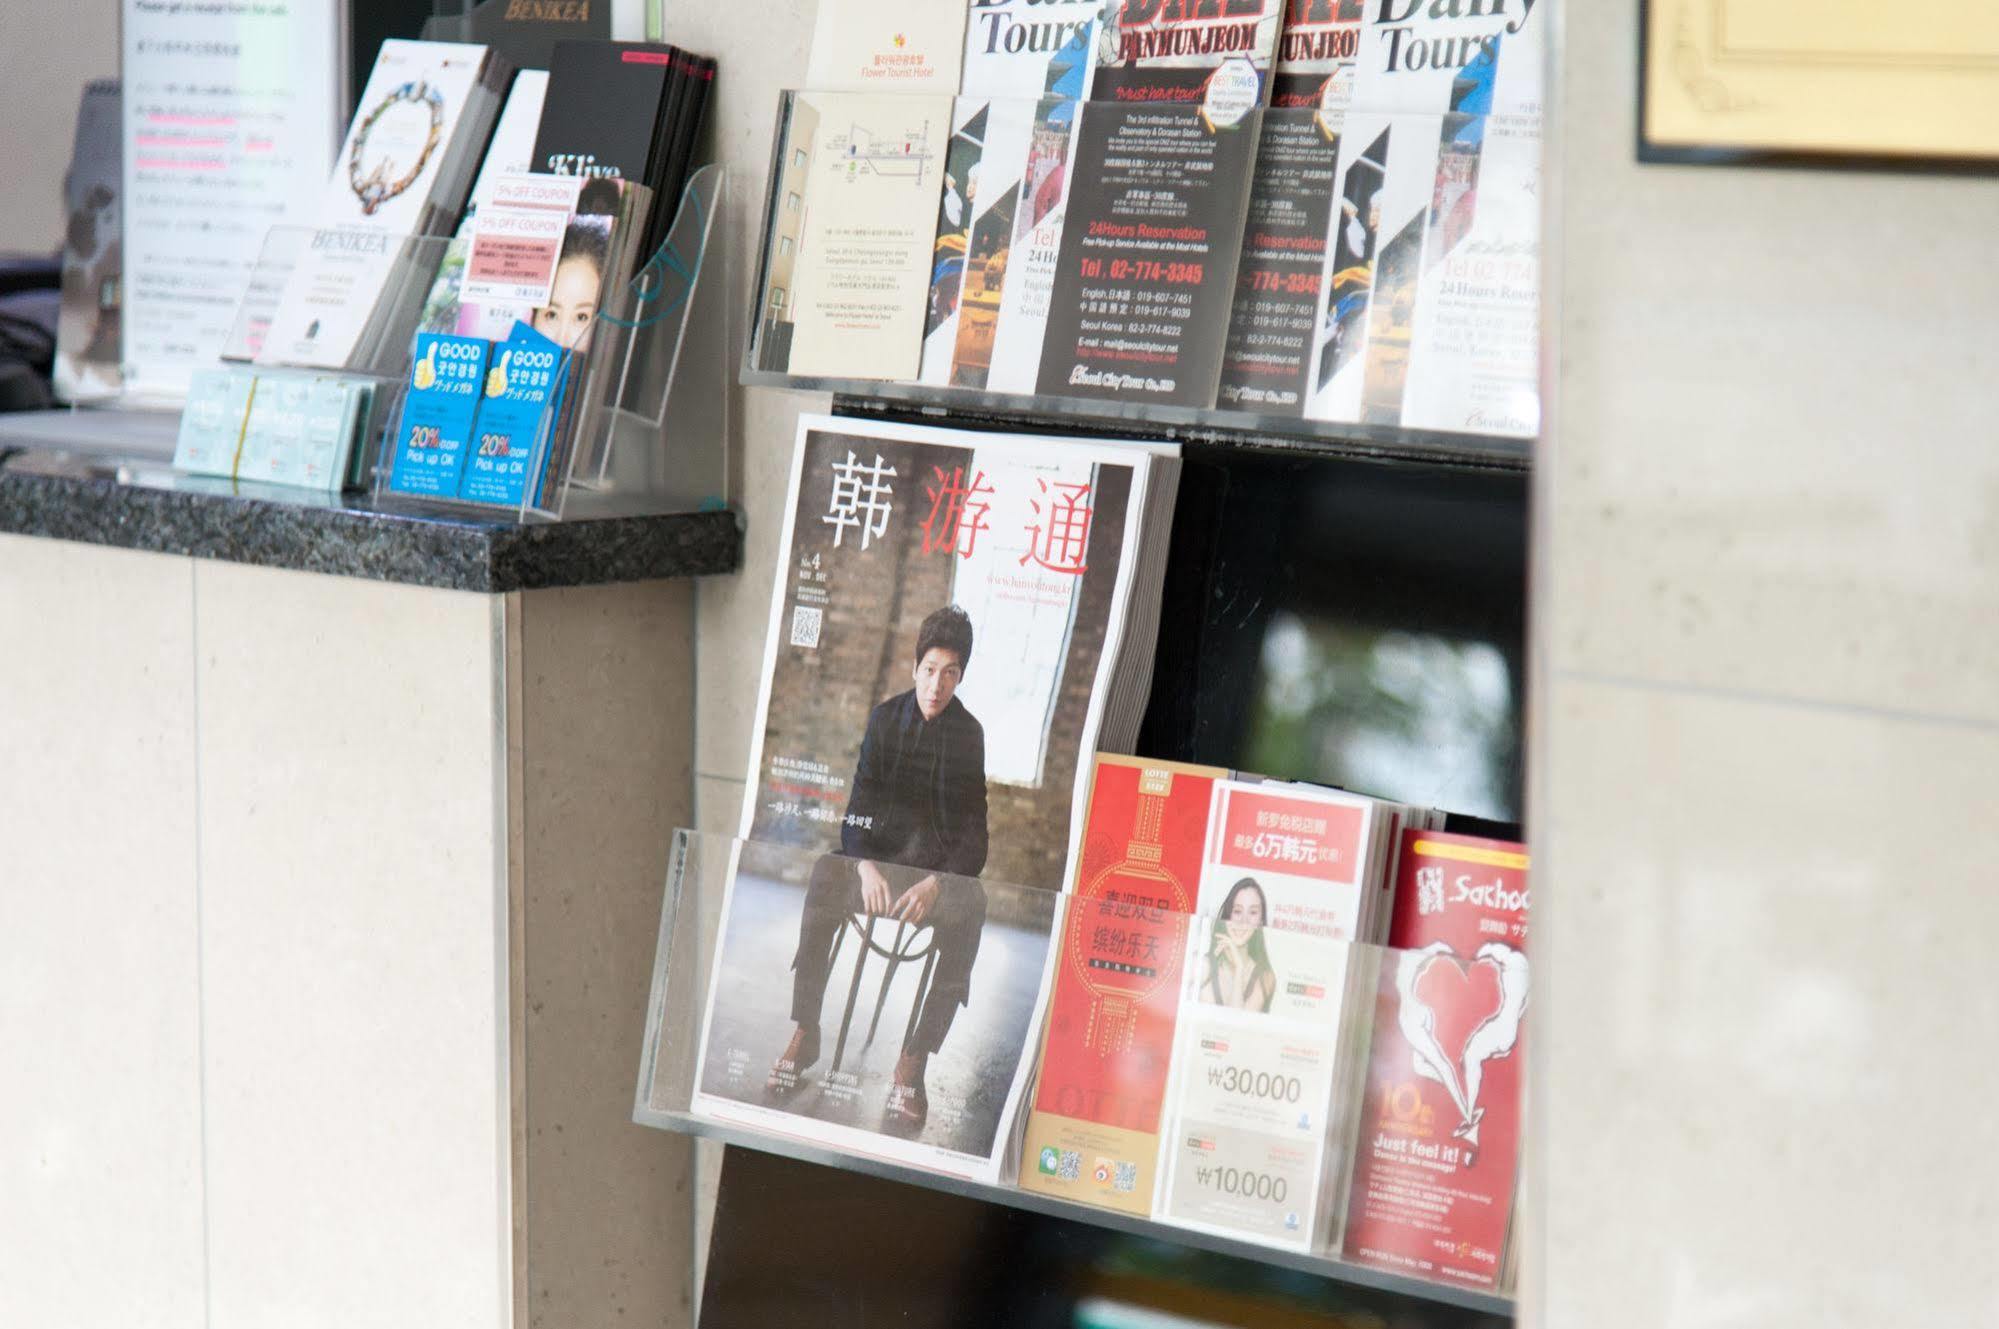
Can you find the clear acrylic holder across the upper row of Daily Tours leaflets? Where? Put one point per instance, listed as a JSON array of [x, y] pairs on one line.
[[1274, 331]]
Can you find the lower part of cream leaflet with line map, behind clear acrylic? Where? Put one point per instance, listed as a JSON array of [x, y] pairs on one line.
[[853, 235]]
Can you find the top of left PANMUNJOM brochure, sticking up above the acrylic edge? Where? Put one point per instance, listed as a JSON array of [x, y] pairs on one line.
[[1210, 55]]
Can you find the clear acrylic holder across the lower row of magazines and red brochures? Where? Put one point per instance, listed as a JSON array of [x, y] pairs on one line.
[[1262, 1126]]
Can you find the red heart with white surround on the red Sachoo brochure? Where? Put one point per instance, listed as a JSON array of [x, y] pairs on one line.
[[1458, 1016]]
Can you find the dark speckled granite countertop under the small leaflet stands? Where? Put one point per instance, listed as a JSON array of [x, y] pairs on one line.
[[155, 511]]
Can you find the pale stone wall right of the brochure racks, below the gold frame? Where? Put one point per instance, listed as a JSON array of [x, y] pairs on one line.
[[1768, 740]]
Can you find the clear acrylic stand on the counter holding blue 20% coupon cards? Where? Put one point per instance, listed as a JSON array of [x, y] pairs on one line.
[[645, 423]]
